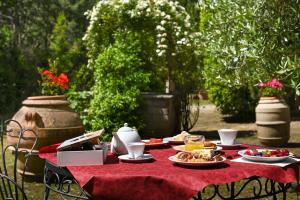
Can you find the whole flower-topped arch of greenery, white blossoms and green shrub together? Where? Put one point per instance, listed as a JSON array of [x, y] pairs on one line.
[[164, 46]]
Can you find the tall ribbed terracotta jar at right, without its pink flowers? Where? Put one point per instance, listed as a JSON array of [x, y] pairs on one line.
[[273, 121]]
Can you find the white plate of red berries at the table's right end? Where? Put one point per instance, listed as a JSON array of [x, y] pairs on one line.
[[265, 155]]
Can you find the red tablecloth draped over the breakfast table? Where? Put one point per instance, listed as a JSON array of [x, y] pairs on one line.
[[161, 179]]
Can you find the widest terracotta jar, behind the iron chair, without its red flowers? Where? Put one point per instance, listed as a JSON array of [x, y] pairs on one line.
[[53, 121]]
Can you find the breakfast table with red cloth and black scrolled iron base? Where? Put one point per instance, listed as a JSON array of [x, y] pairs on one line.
[[160, 178]]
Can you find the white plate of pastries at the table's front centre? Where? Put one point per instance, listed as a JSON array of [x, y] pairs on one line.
[[204, 157]]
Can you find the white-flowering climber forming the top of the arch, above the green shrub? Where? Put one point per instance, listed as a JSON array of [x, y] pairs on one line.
[[165, 21]]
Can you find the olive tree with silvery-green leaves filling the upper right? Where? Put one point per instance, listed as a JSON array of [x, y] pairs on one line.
[[248, 42]]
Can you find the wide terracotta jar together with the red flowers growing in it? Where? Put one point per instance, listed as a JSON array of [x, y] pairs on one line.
[[49, 116]]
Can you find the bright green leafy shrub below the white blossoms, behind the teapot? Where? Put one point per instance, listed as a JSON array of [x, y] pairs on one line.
[[119, 78]]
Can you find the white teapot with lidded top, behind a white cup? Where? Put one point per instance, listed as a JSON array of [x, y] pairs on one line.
[[122, 137]]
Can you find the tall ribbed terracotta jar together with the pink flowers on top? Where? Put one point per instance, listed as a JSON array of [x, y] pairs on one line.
[[272, 114]]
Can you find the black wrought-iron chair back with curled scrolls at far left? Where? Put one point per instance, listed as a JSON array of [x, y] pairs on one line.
[[11, 182]]
